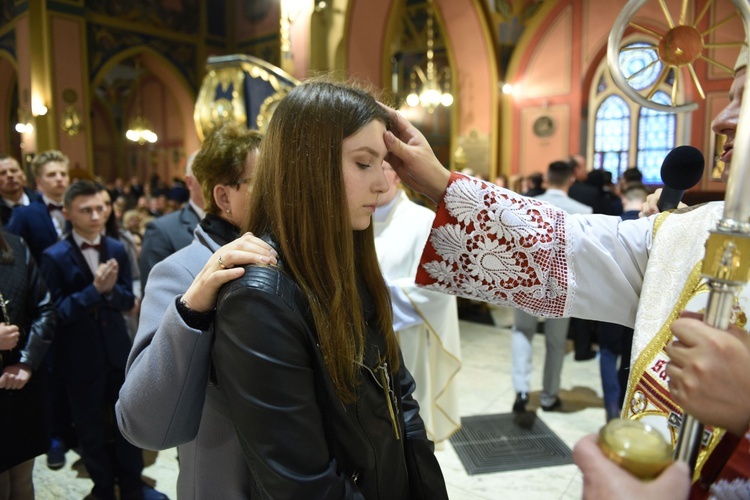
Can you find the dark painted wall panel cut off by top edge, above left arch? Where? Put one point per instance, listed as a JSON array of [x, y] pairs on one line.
[[151, 12]]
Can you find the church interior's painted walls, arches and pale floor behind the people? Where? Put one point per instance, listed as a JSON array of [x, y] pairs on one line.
[[501, 88]]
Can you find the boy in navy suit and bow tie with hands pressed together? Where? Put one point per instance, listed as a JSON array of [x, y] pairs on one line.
[[88, 276]]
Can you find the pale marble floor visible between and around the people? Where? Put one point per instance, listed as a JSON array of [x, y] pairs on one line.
[[485, 389]]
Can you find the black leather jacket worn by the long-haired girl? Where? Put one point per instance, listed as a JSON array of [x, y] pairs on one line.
[[298, 439]]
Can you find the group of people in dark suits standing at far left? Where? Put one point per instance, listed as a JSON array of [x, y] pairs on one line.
[[68, 317]]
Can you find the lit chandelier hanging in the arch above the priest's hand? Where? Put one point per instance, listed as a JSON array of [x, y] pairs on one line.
[[436, 85]]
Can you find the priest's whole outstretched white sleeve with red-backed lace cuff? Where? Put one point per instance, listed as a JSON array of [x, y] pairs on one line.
[[493, 245]]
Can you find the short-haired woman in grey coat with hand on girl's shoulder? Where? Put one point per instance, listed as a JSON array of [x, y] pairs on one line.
[[162, 401]]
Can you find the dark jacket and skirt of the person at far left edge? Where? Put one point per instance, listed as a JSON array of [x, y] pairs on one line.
[[23, 416]]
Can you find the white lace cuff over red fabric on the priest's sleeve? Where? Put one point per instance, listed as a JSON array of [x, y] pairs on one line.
[[496, 246]]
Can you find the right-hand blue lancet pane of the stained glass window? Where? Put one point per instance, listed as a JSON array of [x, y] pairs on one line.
[[656, 138]]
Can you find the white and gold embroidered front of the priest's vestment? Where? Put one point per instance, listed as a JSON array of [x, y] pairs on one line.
[[648, 397]]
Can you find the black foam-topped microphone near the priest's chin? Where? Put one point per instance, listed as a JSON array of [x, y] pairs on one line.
[[682, 169]]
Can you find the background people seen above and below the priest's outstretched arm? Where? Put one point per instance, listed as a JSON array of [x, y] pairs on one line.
[[589, 191]]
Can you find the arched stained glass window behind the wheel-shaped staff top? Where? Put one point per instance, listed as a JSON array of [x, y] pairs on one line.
[[621, 133]]
